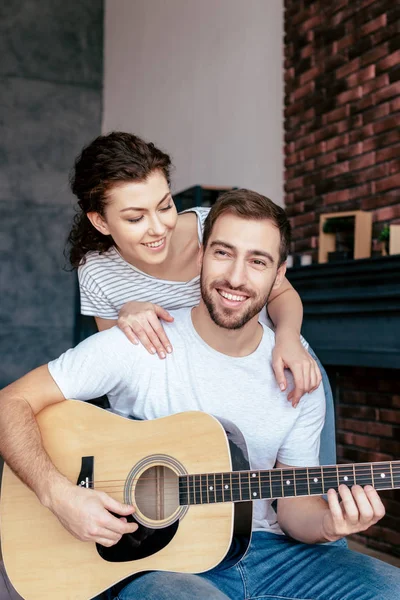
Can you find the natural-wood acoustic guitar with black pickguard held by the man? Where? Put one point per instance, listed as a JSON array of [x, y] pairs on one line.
[[189, 478]]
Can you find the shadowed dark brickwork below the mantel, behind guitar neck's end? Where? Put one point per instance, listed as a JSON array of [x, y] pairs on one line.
[[368, 430]]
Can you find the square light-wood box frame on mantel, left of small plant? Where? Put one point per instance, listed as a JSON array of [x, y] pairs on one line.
[[348, 236]]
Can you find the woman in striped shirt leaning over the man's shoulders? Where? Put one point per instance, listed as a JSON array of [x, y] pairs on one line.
[[137, 258]]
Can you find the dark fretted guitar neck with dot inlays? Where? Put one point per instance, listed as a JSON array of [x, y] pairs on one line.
[[237, 486]]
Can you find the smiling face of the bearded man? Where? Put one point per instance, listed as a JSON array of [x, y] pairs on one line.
[[239, 269]]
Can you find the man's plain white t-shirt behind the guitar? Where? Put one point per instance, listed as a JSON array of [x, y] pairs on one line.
[[196, 377]]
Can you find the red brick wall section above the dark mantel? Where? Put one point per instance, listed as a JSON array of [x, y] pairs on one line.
[[342, 108]]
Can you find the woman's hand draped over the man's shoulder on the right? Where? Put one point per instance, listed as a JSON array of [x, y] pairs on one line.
[[289, 353]]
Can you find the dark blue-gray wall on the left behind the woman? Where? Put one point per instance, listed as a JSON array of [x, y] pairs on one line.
[[51, 72]]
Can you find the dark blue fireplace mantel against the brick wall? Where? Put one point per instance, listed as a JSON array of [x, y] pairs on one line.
[[352, 310]]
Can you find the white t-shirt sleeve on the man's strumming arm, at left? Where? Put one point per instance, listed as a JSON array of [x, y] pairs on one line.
[[99, 365]]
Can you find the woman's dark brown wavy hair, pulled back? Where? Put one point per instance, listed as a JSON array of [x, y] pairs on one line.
[[108, 161]]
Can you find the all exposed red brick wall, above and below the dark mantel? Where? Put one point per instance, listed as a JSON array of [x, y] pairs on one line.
[[342, 152]]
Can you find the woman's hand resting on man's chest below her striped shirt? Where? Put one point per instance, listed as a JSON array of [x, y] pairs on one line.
[[140, 322]]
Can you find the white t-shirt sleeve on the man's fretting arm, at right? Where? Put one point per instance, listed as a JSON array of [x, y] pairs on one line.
[[300, 448]]
